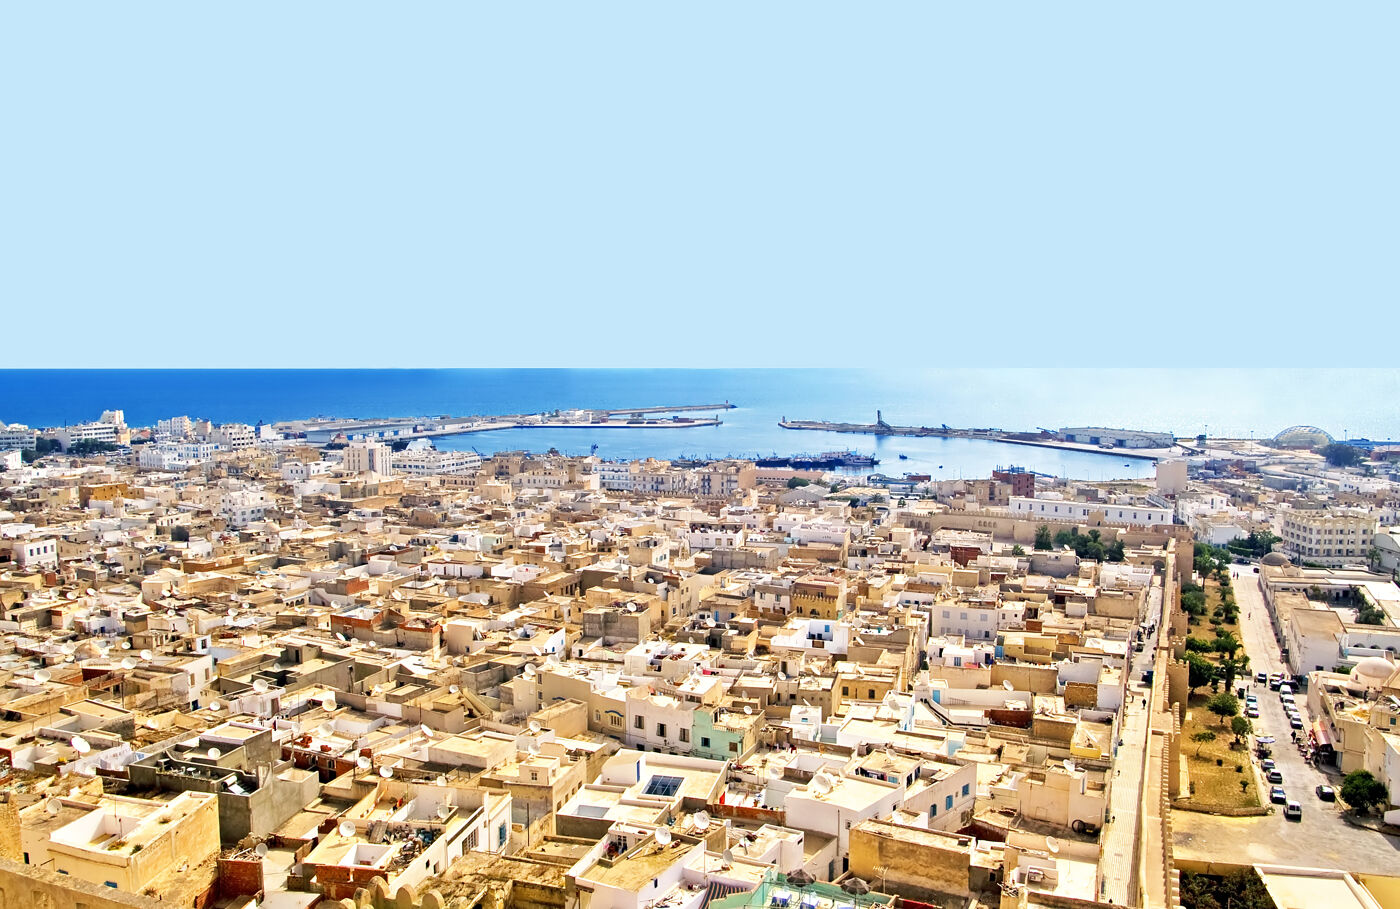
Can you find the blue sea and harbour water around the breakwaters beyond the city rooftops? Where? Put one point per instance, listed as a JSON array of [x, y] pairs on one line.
[[1237, 404]]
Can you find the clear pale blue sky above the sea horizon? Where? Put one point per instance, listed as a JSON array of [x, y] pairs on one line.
[[645, 184]]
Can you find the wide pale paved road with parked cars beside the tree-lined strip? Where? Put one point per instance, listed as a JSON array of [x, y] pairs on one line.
[[1322, 838]]
